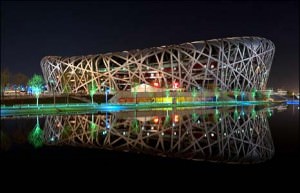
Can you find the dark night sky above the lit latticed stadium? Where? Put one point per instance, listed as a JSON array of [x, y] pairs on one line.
[[32, 30]]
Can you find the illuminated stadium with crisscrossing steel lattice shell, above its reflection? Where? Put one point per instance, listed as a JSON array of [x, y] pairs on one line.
[[239, 63]]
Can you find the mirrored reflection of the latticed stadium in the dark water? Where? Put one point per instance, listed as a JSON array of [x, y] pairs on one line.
[[228, 135]]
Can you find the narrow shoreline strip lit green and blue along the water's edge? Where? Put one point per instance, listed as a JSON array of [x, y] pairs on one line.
[[26, 109]]
